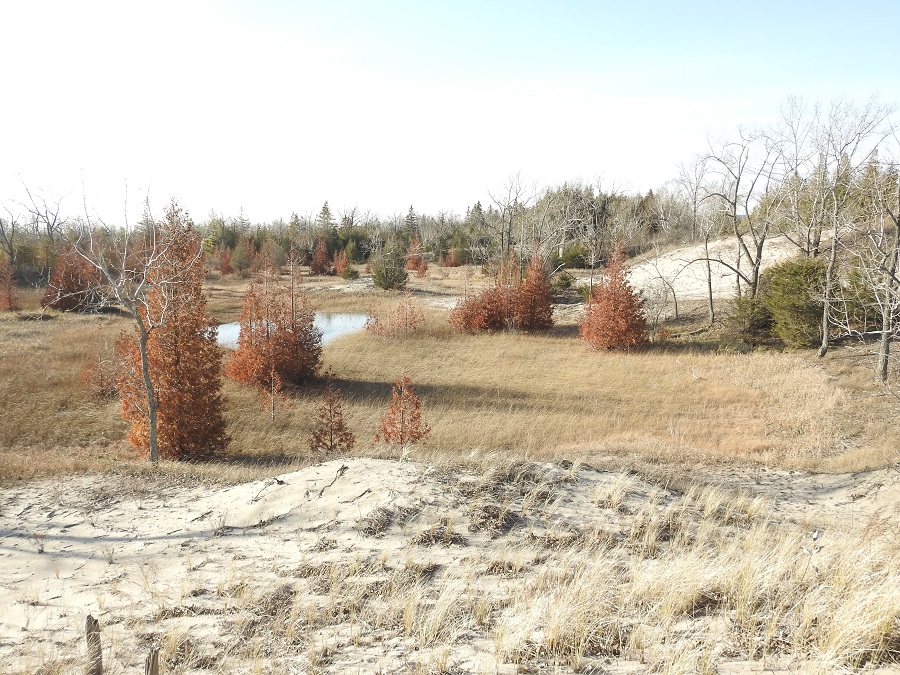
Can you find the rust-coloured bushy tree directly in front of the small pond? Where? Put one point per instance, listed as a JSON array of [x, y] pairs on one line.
[[279, 346]]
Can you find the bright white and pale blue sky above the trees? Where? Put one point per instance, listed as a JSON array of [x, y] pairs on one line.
[[269, 108]]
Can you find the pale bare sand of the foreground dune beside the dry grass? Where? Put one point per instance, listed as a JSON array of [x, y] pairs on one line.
[[161, 563]]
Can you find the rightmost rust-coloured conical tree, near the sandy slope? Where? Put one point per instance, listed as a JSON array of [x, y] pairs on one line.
[[614, 317]]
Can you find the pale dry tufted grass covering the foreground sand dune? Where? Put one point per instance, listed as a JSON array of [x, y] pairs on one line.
[[678, 582]]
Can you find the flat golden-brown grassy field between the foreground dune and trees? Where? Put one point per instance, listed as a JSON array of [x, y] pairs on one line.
[[543, 396]]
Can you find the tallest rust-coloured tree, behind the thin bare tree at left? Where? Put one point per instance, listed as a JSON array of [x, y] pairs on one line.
[[182, 359]]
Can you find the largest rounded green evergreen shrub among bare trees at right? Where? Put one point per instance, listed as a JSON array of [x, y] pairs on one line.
[[792, 292]]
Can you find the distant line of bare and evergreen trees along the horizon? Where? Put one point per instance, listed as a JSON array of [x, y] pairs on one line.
[[822, 176]]
